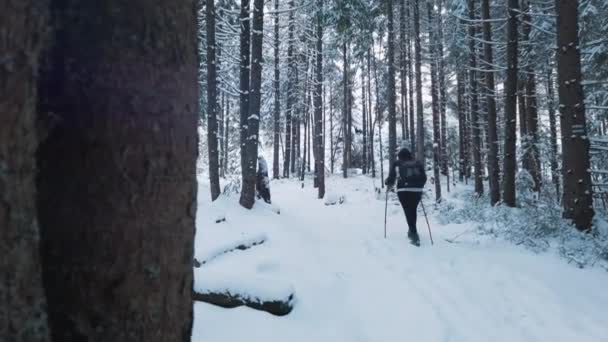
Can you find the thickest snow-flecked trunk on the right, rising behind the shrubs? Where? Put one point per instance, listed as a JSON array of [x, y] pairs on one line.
[[577, 197]]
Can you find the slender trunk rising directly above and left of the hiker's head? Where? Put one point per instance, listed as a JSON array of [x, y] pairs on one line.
[[392, 116]]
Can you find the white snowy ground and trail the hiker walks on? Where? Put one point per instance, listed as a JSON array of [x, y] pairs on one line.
[[353, 285]]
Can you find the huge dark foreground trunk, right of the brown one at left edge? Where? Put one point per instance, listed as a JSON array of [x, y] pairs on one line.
[[117, 179]]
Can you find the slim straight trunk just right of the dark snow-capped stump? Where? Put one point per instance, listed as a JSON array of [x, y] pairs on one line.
[[277, 96]]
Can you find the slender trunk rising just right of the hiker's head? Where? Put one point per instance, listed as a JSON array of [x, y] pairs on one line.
[[419, 113]]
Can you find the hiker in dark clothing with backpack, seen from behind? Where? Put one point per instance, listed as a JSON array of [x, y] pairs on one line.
[[411, 178]]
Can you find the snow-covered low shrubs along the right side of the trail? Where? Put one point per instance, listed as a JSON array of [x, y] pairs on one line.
[[537, 224]]
